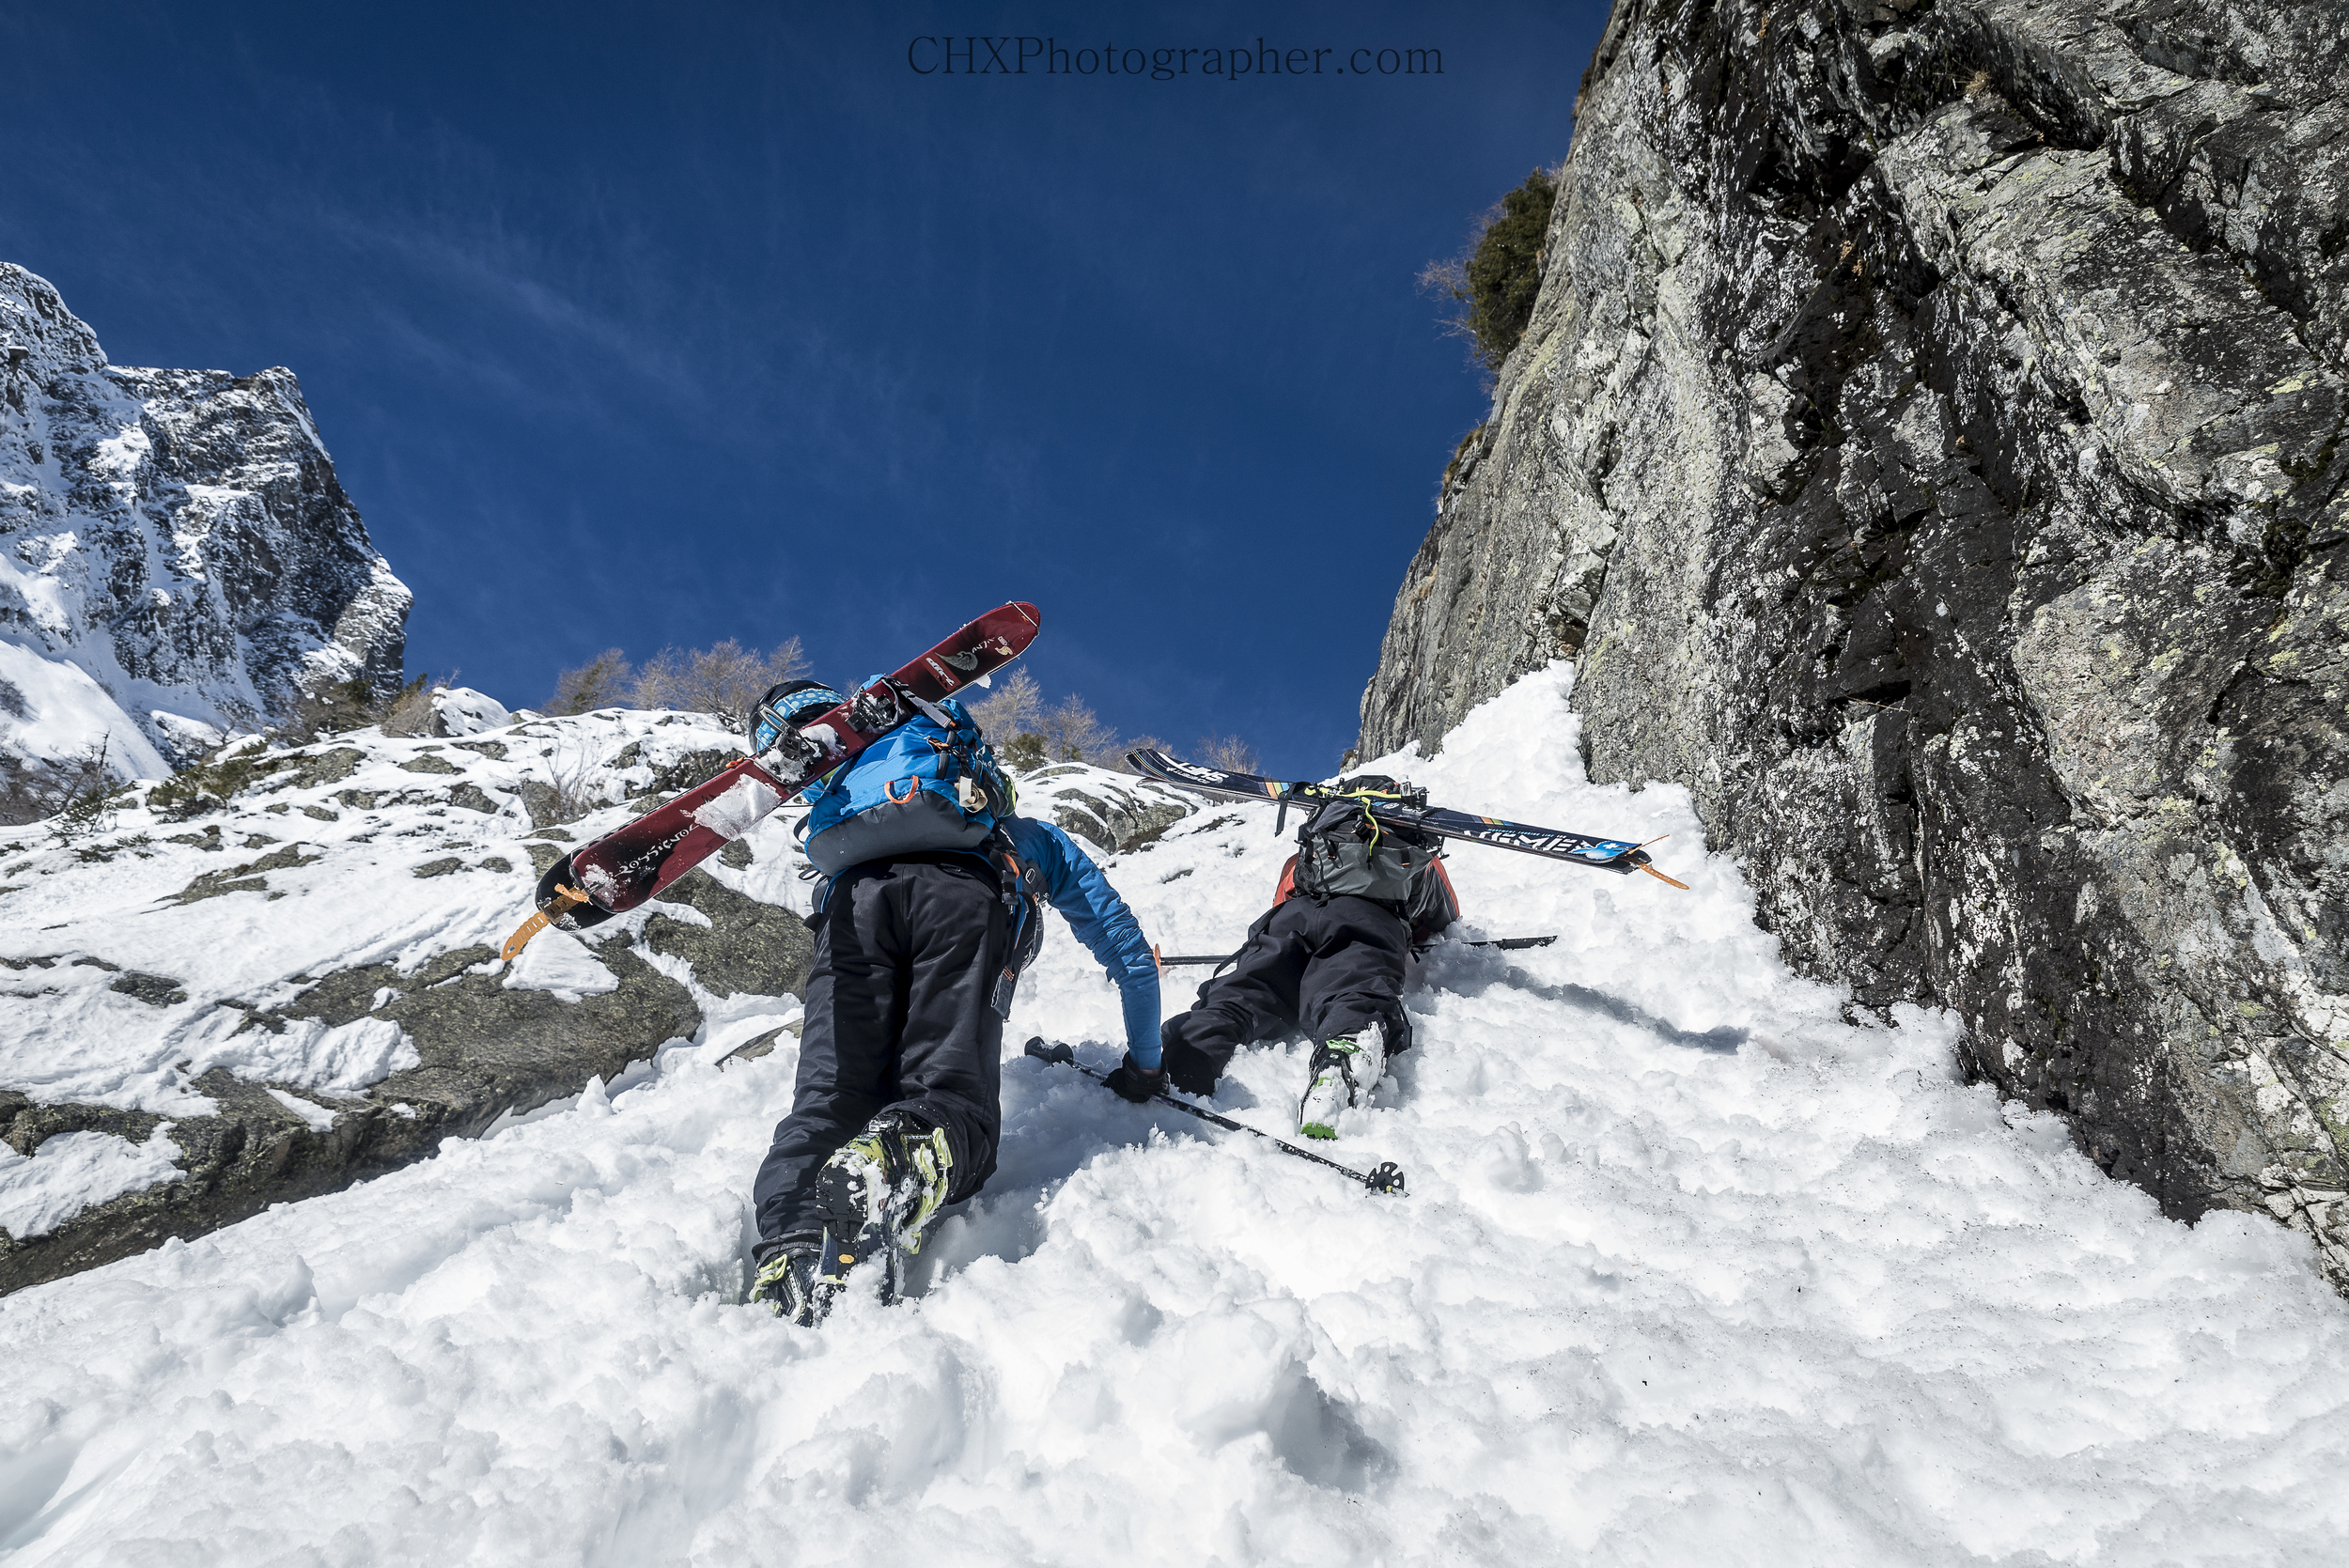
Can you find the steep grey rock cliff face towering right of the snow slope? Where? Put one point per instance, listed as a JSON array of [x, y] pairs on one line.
[[1927, 445]]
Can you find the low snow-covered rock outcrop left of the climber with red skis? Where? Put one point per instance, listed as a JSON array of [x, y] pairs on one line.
[[285, 966]]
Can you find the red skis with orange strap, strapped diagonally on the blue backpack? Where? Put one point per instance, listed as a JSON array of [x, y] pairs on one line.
[[628, 867]]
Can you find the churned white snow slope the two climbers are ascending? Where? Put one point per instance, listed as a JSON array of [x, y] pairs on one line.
[[1690, 1273]]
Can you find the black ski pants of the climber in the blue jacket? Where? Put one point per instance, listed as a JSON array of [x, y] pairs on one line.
[[901, 1015]]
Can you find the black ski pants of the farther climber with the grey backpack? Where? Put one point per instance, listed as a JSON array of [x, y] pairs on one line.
[[1307, 968]]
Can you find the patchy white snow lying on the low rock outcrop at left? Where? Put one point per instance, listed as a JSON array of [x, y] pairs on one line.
[[361, 851]]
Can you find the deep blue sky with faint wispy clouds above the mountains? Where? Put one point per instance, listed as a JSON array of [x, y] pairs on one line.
[[659, 325]]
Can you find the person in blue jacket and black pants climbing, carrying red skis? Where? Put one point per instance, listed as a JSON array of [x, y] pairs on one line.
[[931, 912]]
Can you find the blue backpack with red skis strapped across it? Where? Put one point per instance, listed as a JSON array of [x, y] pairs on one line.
[[920, 788]]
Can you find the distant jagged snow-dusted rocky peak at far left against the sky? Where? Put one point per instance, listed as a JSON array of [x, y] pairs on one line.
[[177, 557]]
